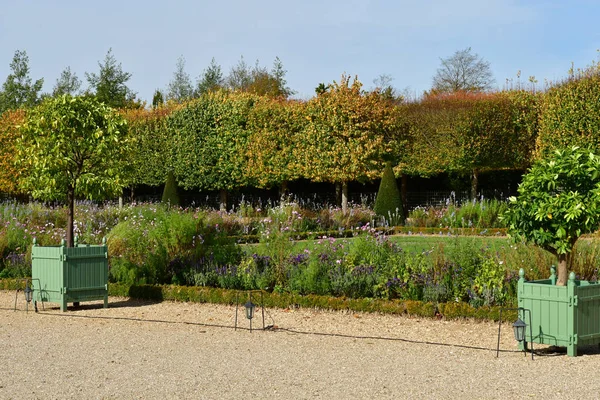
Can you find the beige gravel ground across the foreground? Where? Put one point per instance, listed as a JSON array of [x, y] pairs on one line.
[[140, 350]]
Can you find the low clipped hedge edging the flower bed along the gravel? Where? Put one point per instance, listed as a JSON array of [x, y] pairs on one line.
[[197, 294]]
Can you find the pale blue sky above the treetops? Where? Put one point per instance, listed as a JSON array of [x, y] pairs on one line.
[[317, 40]]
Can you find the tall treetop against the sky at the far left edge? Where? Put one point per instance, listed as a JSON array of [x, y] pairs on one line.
[[18, 90]]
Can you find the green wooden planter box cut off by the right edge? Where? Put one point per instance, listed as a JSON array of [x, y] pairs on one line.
[[566, 316]]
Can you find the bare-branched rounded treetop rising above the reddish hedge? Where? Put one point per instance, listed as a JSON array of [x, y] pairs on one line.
[[463, 71]]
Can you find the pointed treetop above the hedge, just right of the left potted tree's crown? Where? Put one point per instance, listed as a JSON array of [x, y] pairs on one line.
[[110, 84]]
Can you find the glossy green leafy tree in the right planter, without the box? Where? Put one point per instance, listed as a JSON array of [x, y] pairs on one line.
[[558, 201]]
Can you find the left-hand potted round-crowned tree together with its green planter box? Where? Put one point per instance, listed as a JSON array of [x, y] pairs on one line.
[[72, 147]]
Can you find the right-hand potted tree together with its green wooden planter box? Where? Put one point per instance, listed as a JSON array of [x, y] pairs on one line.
[[558, 201]]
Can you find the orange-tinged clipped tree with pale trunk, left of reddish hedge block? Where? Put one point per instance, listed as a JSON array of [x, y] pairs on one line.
[[345, 138]]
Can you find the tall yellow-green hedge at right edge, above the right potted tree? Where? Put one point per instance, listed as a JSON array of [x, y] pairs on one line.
[[570, 113]]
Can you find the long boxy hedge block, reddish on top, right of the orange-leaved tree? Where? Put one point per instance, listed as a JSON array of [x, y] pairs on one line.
[[461, 132]]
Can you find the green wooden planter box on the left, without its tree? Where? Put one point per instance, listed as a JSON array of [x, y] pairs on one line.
[[70, 274]]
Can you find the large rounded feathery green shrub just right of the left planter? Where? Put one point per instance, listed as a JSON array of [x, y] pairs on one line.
[[159, 246]]
